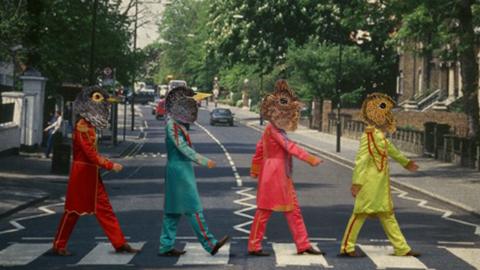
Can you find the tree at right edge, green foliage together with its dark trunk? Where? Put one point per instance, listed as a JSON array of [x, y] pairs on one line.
[[446, 28]]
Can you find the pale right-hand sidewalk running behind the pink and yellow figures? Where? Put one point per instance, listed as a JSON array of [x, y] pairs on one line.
[[446, 182]]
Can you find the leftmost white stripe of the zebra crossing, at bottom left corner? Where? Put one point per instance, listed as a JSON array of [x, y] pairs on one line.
[[22, 254]]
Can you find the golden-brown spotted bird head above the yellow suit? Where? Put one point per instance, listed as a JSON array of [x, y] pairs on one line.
[[377, 111]]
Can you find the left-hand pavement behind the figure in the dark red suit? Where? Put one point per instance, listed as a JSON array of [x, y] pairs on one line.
[[26, 179]]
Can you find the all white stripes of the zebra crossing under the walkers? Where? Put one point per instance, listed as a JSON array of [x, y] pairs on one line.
[[284, 255]]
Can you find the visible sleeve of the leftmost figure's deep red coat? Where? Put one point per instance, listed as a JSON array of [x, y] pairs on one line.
[[86, 144]]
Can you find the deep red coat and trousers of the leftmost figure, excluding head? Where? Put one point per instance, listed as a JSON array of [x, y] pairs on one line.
[[86, 193]]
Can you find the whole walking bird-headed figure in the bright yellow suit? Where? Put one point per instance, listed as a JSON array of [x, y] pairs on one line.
[[371, 177]]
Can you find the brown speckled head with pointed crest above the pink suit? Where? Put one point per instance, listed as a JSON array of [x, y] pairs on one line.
[[281, 107]]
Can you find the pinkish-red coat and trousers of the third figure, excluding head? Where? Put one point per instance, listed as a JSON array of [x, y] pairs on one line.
[[272, 163]]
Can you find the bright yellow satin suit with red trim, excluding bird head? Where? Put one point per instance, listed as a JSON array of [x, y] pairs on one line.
[[372, 173]]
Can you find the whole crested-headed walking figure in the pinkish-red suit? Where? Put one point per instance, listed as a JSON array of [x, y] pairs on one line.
[[272, 164]]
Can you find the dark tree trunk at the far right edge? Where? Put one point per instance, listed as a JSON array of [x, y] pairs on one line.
[[469, 67]]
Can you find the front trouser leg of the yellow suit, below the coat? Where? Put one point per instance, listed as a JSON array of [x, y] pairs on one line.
[[394, 234]]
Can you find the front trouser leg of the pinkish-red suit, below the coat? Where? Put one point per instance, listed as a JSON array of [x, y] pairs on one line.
[[297, 227]]
